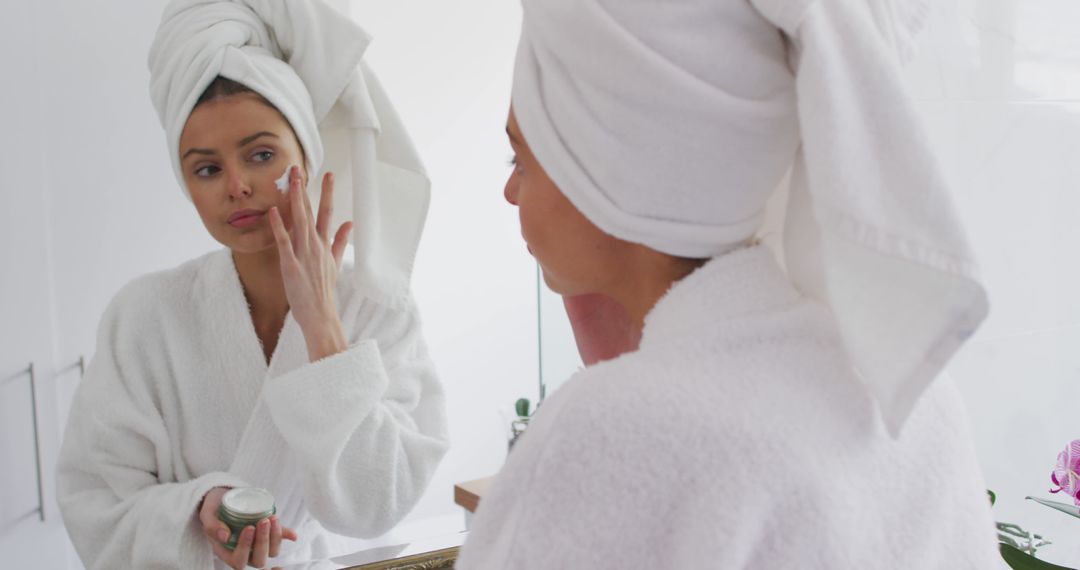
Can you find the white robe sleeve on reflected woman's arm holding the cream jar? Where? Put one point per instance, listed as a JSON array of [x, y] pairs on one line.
[[116, 473]]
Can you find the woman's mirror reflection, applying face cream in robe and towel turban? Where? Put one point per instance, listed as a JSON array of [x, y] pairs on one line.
[[268, 363]]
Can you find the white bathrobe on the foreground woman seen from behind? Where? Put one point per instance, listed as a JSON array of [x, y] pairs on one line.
[[736, 438]]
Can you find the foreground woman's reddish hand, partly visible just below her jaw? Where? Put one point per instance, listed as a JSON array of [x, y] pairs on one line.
[[602, 328]]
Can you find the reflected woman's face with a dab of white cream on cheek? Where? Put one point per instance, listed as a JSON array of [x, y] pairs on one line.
[[233, 152]]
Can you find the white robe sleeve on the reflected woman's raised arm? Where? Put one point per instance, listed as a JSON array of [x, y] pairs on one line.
[[368, 425]]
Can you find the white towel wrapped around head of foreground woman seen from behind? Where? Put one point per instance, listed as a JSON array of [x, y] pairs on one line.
[[671, 124]]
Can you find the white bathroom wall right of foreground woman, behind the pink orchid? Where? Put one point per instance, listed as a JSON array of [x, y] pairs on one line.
[[1000, 85]]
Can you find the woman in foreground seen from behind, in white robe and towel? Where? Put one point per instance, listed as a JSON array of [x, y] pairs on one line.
[[746, 415]]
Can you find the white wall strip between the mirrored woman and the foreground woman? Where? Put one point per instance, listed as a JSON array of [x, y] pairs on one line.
[[448, 66]]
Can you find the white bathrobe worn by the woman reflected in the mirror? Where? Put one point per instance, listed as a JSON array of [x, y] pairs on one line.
[[179, 400]]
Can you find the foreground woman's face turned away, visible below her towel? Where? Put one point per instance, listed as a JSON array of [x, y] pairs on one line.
[[576, 256]]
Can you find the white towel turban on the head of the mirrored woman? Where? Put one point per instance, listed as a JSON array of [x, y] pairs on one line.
[[306, 60]]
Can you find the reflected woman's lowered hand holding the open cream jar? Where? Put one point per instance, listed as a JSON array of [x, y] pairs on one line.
[[256, 545]]
